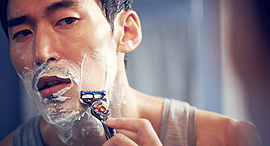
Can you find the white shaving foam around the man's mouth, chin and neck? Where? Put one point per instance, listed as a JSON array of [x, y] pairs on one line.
[[64, 111]]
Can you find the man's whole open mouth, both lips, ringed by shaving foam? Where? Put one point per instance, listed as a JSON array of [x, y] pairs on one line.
[[48, 85]]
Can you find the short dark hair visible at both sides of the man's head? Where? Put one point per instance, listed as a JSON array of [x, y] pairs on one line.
[[110, 7]]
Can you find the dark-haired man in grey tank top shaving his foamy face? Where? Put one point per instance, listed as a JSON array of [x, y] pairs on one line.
[[62, 47]]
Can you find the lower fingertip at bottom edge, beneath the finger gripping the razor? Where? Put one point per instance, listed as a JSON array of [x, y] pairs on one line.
[[119, 139]]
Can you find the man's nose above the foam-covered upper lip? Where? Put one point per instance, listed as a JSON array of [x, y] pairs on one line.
[[45, 45]]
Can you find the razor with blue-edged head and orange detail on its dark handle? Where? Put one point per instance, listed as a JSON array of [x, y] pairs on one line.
[[97, 103]]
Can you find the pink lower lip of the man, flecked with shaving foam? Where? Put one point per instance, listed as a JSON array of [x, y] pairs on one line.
[[49, 91]]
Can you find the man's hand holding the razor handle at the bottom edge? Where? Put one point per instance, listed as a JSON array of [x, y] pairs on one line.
[[142, 127]]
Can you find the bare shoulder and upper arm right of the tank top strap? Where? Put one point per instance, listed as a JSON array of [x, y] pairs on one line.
[[215, 129]]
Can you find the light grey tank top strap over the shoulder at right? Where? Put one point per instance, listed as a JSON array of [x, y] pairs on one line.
[[178, 124]]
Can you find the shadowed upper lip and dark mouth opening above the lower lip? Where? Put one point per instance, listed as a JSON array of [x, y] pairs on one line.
[[50, 81]]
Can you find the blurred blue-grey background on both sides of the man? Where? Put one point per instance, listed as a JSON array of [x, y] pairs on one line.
[[212, 54]]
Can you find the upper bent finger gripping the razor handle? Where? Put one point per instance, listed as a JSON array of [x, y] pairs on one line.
[[142, 127]]
